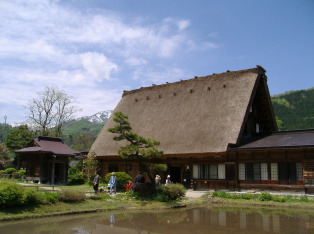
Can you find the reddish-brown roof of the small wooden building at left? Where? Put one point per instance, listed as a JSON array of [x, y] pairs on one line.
[[49, 145]]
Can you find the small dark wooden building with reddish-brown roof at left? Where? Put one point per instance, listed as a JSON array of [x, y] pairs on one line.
[[46, 160]]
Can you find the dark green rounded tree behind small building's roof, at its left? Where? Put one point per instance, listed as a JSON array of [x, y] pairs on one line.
[[18, 137]]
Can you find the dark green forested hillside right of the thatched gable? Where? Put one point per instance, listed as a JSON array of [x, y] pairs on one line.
[[294, 109]]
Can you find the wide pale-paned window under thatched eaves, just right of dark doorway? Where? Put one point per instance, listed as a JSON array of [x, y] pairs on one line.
[[209, 171]]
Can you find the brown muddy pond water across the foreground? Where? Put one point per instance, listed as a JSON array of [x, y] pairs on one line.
[[196, 220]]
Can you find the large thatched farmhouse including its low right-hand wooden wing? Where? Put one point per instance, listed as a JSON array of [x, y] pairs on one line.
[[216, 131]]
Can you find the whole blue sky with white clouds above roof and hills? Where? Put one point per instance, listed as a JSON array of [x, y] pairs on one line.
[[95, 49]]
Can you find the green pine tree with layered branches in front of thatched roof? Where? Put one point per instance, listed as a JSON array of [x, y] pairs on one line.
[[139, 148]]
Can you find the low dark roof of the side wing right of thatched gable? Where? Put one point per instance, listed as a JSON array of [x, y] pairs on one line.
[[281, 139]]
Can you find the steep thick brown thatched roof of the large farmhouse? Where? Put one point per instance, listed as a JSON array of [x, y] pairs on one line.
[[200, 115]]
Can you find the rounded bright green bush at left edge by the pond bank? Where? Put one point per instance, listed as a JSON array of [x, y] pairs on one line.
[[11, 195]]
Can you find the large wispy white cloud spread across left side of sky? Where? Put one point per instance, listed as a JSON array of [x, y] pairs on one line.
[[45, 43]]
